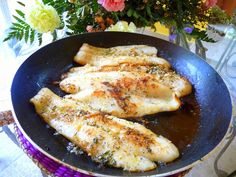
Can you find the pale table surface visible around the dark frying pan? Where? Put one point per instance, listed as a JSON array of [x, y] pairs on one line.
[[10, 60]]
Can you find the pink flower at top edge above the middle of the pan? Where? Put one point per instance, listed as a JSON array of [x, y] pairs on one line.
[[112, 5]]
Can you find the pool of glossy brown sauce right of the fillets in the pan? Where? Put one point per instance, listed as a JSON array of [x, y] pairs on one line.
[[179, 126]]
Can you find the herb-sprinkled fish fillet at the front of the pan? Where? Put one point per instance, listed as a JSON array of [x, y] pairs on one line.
[[106, 139]]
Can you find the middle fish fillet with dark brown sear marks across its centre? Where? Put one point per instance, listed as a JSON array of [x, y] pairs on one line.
[[120, 93]]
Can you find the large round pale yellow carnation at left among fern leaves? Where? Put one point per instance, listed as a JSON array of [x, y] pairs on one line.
[[43, 18]]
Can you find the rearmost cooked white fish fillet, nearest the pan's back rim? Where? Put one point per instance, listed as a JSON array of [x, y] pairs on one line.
[[138, 54]]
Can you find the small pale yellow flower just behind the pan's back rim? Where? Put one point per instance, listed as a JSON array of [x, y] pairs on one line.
[[123, 26]]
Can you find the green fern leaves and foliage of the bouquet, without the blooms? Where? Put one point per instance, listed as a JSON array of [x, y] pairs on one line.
[[76, 16]]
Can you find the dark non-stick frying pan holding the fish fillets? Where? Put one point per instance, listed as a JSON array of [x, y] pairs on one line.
[[47, 64]]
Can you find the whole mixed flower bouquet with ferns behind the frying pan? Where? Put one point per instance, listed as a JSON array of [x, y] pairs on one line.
[[184, 20]]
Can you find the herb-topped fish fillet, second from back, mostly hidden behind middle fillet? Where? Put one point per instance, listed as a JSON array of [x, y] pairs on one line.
[[180, 85]]
